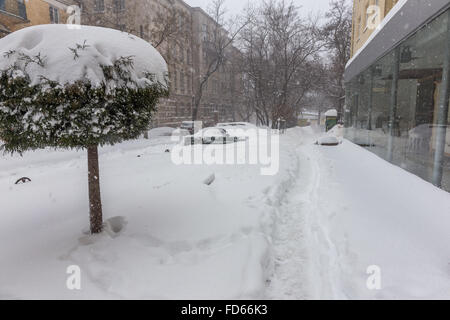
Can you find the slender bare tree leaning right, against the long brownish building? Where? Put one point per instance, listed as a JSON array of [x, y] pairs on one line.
[[217, 45]]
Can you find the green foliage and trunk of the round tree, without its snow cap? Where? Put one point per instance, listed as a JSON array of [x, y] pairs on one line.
[[80, 114]]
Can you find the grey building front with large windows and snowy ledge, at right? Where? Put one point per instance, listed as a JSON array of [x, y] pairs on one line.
[[397, 90]]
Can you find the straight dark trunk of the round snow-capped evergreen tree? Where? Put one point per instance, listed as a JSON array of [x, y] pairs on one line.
[[95, 202]]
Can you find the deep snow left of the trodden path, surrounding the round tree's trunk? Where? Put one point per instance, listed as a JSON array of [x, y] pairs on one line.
[[167, 236]]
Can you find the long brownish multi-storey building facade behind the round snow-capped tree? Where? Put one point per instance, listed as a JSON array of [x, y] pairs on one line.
[[178, 33]]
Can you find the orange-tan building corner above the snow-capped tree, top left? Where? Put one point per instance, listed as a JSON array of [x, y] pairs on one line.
[[18, 14]]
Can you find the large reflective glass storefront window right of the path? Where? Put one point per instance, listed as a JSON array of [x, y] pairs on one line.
[[405, 133]]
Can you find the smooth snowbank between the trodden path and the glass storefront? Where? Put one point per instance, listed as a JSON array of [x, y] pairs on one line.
[[372, 213]]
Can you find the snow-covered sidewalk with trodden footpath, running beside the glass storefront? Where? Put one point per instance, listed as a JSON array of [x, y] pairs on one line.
[[348, 211]]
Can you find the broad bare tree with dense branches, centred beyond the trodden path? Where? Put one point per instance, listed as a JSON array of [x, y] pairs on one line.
[[280, 50]]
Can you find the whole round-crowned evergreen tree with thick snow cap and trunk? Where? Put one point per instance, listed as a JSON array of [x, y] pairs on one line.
[[77, 88]]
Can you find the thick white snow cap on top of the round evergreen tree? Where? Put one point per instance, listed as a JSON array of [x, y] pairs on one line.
[[66, 55]]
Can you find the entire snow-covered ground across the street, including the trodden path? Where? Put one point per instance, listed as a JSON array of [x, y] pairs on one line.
[[311, 231]]
